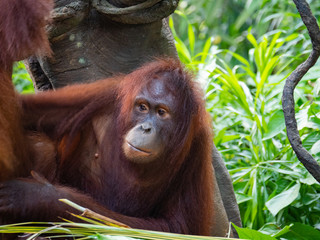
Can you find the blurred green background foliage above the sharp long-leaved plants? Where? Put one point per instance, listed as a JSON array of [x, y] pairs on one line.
[[226, 22]]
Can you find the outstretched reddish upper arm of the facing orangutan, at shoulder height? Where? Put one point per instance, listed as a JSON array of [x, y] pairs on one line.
[[48, 111]]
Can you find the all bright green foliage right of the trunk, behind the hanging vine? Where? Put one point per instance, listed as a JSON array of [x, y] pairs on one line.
[[244, 98]]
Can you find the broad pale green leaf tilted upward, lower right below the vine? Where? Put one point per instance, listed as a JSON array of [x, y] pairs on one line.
[[283, 199]]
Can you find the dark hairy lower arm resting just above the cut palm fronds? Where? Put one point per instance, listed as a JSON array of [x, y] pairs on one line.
[[41, 203]]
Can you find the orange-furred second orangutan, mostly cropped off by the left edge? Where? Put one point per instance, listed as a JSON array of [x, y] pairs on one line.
[[21, 34]]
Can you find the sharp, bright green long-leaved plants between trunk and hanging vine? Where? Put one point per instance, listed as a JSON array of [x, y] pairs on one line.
[[268, 179]]
